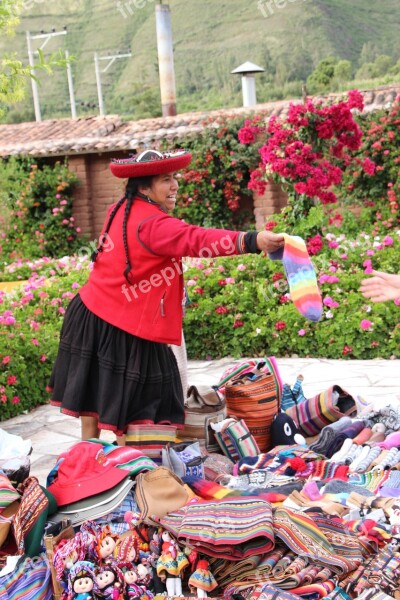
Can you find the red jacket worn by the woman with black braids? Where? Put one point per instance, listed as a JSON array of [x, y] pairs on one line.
[[151, 307]]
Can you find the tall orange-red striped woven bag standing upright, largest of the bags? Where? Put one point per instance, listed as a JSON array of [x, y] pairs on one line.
[[255, 397]]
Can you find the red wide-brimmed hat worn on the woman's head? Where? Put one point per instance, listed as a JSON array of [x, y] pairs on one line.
[[150, 162]]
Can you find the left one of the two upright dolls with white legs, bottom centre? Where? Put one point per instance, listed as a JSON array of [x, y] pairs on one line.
[[171, 564]]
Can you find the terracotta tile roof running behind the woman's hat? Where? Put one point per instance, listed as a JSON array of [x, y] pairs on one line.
[[59, 137]]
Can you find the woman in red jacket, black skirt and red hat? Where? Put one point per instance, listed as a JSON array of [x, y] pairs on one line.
[[114, 365]]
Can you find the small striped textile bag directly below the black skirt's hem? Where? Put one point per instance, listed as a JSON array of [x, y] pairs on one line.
[[151, 439]]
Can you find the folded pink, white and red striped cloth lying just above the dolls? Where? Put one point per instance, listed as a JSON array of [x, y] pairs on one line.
[[232, 528]]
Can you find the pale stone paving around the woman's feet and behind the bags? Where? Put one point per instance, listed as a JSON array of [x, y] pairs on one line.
[[377, 381]]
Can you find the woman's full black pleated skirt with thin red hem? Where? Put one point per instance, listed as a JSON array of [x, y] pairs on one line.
[[105, 372]]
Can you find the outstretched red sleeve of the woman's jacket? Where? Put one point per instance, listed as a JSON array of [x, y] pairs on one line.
[[165, 235]]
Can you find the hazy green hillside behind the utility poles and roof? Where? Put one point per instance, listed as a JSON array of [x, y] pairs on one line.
[[211, 37]]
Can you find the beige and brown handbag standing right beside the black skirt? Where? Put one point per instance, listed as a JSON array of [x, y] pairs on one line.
[[201, 410]]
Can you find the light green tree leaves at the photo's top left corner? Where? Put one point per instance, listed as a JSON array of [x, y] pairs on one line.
[[13, 73]]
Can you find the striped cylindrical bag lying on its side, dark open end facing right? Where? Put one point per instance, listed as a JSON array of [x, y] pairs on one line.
[[312, 415]]
